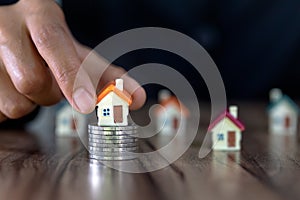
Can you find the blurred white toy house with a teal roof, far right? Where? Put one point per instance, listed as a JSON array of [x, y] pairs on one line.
[[283, 113]]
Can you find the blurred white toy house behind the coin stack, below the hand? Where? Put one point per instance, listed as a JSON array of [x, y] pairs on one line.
[[69, 122]]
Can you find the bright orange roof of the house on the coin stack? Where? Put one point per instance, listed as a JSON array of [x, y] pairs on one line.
[[112, 88]]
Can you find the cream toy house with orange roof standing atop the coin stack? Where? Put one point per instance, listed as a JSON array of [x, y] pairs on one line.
[[113, 105]]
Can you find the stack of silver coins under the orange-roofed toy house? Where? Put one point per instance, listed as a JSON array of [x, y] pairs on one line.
[[112, 142]]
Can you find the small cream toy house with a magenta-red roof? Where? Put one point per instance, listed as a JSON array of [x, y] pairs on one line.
[[227, 131]]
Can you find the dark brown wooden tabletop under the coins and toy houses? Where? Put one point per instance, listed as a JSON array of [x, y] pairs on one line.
[[40, 166]]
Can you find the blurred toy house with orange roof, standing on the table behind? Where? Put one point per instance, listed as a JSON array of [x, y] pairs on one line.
[[171, 114]]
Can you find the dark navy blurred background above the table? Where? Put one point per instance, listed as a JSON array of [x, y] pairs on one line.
[[254, 43]]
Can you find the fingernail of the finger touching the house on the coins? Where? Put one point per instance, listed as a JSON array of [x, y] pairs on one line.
[[83, 100]]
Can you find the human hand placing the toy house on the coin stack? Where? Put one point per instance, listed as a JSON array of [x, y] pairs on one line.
[[39, 60]]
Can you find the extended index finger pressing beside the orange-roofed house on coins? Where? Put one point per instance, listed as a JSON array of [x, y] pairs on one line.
[[55, 45]]
